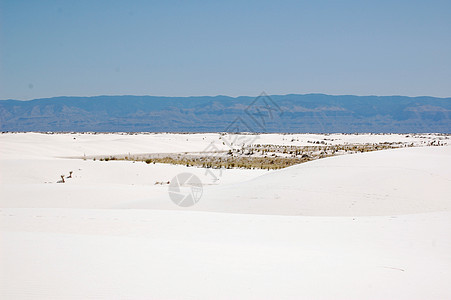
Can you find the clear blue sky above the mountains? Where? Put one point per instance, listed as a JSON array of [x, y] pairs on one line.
[[184, 48]]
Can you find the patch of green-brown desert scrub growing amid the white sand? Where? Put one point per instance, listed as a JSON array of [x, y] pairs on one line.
[[259, 156]]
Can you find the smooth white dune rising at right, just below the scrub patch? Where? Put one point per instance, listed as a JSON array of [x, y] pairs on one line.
[[389, 182]]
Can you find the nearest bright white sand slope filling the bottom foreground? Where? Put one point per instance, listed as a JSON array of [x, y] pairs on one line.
[[115, 254]]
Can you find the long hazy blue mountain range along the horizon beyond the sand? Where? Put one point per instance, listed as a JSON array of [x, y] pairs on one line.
[[315, 113]]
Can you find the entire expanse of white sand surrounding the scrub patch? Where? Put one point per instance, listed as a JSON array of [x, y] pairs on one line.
[[365, 226]]
